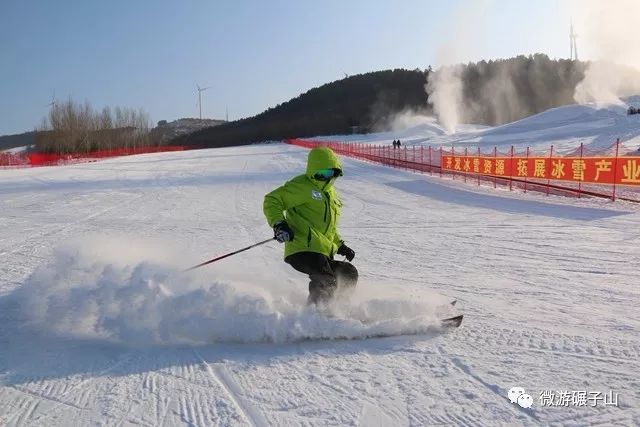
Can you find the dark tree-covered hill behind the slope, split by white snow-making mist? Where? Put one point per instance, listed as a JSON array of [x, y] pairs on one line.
[[494, 92]]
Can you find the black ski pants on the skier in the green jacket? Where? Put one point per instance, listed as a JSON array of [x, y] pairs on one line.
[[326, 274]]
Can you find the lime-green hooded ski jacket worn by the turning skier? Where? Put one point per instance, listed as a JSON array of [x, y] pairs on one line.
[[310, 207]]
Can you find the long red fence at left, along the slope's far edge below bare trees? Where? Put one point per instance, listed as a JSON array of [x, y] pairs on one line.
[[49, 159]]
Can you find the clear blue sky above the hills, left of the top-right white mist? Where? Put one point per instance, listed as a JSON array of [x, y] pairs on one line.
[[253, 54]]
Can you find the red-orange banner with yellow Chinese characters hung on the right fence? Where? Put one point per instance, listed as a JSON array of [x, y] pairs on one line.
[[595, 170]]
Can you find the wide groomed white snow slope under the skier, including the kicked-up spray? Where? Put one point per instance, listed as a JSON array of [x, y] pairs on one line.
[[98, 327]]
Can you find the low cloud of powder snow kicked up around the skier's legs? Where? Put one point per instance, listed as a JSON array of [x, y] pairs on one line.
[[145, 303]]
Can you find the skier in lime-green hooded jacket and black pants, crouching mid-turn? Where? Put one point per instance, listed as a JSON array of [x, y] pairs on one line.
[[304, 213]]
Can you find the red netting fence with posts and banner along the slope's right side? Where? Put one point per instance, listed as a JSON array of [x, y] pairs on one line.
[[609, 176]]
